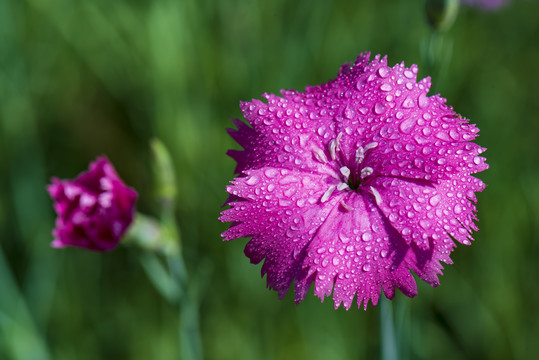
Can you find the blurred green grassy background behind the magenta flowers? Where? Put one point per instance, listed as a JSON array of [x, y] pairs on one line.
[[83, 78]]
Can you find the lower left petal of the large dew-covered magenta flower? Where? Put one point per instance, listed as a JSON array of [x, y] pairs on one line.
[[281, 210]]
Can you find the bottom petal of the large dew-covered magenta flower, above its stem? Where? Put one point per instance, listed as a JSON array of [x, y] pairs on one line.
[[355, 252]]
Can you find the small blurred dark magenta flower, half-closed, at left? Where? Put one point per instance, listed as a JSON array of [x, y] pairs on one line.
[[94, 210]]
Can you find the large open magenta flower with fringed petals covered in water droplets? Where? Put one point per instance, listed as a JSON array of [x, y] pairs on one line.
[[353, 183]]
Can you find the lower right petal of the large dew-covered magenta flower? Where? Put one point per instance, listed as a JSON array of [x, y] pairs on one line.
[[429, 213]]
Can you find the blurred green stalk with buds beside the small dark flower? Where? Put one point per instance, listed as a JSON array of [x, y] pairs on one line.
[[162, 257]]
